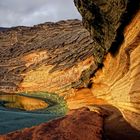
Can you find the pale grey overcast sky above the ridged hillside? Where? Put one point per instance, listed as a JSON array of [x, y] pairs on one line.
[[31, 12]]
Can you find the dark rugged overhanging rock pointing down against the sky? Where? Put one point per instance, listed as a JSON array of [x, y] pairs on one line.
[[105, 20]]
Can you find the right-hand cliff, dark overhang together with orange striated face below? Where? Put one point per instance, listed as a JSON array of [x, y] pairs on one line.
[[118, 81]]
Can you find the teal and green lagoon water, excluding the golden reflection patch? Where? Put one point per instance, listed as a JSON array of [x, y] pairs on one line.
[[12, 119]]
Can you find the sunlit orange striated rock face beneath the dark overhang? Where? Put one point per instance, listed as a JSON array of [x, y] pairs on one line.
[[118, 82]]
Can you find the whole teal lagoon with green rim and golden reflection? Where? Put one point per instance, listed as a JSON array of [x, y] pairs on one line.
[[19, 111]]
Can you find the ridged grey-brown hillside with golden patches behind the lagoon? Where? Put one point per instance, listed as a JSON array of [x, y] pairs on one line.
[[52, 57]]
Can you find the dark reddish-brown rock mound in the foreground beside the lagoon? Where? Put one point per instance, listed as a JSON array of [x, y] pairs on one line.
[[80, 124]]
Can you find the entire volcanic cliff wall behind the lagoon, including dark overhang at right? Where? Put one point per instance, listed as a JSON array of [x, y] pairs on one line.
[[97, 68]]
